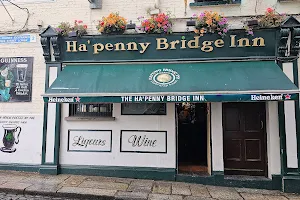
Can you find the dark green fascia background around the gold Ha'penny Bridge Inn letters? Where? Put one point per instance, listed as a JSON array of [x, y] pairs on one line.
[[151, 54]]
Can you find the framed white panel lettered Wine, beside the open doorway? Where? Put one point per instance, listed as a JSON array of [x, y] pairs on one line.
[[144, 141]]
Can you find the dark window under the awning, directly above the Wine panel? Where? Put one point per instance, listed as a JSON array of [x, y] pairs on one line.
[[143, 109]]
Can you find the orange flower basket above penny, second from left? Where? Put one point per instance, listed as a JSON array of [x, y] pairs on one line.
[[113, 24]]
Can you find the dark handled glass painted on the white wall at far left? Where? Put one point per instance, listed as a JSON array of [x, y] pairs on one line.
[[10, 137]]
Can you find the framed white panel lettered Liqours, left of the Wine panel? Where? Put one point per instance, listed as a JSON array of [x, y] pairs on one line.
[[90, 140]]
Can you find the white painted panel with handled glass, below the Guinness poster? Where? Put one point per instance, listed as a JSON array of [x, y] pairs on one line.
[[21, 138]]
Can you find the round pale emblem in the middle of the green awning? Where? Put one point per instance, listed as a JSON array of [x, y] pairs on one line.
[[164, 77]]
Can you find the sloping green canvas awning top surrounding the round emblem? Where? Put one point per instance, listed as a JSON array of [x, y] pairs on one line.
[[103, 80]]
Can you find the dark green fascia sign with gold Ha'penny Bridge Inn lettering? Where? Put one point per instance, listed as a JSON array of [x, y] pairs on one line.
[[177, 46]]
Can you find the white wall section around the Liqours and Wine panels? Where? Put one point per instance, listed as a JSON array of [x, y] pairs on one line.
[[122, 122]]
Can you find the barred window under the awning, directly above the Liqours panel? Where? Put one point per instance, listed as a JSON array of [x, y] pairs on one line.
[[93, 110]]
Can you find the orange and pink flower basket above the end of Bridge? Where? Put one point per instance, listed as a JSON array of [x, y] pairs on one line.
[[211, 22]]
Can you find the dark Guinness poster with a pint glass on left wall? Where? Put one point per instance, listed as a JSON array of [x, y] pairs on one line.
[[16, 79]]
